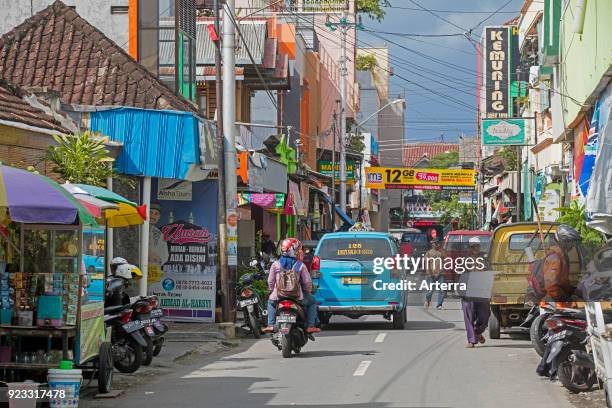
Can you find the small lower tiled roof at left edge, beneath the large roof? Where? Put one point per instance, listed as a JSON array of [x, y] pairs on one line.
[[14, 109]]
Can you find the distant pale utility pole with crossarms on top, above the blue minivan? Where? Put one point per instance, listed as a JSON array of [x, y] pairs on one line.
[[344, 26]]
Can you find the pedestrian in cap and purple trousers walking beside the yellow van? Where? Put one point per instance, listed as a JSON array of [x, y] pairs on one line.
[[476, 313]]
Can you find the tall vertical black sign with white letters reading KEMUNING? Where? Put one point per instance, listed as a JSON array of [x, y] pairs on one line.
[[497, 62]]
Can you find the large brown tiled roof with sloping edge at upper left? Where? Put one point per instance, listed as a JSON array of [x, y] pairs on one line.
[[58, 49]]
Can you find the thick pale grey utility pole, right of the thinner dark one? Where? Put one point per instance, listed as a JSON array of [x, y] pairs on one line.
[[229, 124]]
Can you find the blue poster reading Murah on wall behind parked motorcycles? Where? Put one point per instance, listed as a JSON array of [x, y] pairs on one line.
[[183, 252]]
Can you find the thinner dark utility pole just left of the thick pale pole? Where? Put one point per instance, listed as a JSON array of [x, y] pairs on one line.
[[222, 244]]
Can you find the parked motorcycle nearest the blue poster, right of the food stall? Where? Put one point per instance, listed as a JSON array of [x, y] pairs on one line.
[[146, 311]]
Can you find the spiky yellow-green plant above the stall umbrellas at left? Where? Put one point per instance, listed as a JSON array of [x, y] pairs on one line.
[[81, 158]]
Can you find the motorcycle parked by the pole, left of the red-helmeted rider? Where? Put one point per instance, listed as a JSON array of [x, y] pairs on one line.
[[251, 300]]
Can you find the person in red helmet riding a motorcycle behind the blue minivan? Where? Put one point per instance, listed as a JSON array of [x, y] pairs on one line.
[[290, 250]]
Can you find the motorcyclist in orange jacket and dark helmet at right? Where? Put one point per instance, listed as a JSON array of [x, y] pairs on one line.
[[557, 285]]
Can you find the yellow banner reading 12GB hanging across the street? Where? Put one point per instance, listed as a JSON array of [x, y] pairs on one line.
[[419, 179]]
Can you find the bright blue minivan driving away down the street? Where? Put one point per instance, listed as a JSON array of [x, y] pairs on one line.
[[343, 273]]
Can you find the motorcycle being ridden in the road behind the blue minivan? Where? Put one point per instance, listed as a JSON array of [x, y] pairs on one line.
[[290, 329]]
